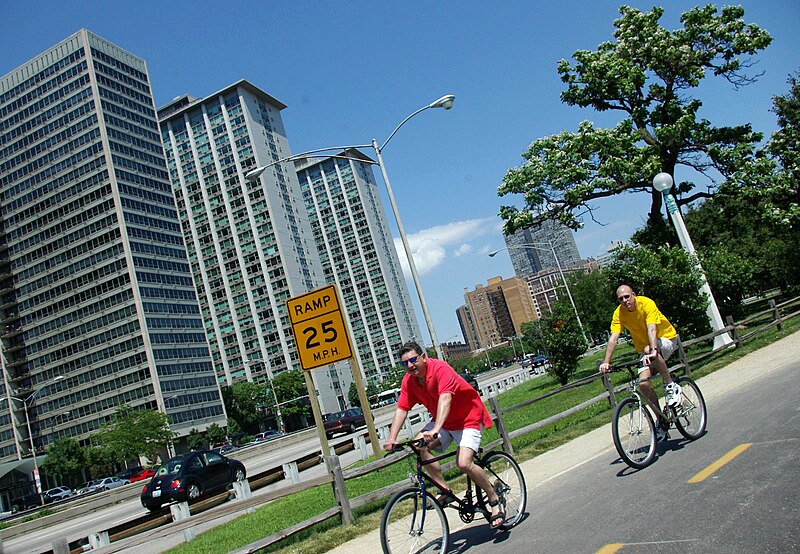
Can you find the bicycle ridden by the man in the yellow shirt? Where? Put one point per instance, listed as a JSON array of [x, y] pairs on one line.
[[634, 430]]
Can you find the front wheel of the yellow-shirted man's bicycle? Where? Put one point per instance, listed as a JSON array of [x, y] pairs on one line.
[[634, 433]]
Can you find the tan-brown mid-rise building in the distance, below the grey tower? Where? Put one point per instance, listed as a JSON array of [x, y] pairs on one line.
[[498, 310]]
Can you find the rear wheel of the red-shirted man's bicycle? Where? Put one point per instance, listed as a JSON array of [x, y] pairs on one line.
[[508, 481]]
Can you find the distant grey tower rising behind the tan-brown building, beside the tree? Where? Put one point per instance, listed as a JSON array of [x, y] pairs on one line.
[[527, 260]]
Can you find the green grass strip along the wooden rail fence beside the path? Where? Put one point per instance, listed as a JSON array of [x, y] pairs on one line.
[[288, 511]]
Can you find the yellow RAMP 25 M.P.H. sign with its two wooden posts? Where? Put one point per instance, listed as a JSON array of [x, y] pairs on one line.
[[322, 337]]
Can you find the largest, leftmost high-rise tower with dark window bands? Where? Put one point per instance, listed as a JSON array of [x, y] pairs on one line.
[[96, 299]]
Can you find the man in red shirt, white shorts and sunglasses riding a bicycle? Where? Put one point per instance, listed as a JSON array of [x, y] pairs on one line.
[[457, 413]]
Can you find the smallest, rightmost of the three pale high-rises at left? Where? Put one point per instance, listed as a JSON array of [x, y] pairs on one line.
[[358, 254]]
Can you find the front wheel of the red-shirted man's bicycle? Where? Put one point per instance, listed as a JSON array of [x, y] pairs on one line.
[[414, 523]]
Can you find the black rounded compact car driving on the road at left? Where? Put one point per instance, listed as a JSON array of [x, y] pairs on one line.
[[189, 476]]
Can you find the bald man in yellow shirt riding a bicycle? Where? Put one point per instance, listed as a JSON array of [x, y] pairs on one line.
[[653, 336]]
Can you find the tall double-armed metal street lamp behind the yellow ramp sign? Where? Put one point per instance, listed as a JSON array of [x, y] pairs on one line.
[[445, 102]]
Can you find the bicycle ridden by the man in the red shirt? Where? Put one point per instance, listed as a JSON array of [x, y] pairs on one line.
[[414, 521]]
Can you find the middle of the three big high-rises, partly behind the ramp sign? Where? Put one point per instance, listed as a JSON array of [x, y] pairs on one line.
[[250, 243]]
